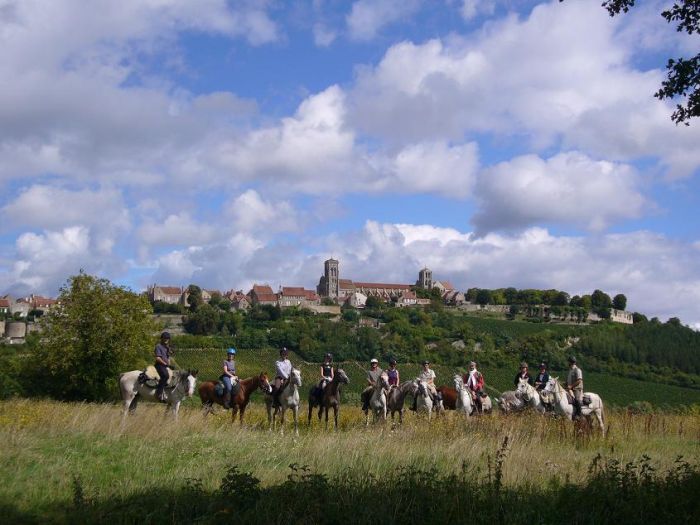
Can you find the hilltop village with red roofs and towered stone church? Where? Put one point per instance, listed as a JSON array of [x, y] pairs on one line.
[[333, 292]]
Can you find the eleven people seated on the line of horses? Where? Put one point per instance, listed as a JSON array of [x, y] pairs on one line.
[[473, 379]]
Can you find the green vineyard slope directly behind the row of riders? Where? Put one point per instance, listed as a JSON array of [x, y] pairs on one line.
[[615, 391]]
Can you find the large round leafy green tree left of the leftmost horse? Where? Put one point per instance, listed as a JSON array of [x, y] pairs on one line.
[[99, 331]]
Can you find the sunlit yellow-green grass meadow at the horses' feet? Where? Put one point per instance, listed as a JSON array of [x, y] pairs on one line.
[[61, 455]]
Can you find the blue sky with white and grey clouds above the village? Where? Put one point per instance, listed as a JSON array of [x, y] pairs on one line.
[[500, 142]]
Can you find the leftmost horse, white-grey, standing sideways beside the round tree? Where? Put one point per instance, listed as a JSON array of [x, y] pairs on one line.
[[132, 389]]
